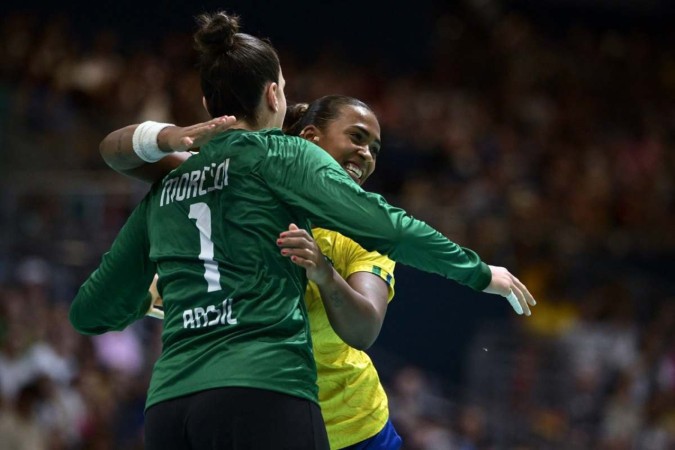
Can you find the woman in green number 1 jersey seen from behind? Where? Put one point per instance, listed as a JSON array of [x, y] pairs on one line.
[[236, 368]]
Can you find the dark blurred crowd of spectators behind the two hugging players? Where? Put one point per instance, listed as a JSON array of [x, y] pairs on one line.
[[540, 133]]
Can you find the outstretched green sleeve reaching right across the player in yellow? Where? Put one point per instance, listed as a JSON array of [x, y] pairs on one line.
[[307, 178]]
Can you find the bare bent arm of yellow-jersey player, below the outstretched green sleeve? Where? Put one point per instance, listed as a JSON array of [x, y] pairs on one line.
[[355, 308]]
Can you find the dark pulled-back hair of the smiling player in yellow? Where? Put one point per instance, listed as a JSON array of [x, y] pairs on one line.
[[318, 113]]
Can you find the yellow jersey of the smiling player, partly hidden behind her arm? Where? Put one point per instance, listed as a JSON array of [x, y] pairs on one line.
[[353, 402]]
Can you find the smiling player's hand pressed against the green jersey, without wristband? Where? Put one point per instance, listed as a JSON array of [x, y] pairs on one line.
[[303, 250]]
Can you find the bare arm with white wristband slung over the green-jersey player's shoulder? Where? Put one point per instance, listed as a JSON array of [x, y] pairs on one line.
[[117, 148]]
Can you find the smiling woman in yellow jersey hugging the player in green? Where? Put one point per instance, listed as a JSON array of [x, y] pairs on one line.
[[349, 287]]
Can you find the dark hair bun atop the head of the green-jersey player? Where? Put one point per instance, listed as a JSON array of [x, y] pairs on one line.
[[216, 33]]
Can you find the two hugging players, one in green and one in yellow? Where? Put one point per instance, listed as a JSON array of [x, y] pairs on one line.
[[258, 292]]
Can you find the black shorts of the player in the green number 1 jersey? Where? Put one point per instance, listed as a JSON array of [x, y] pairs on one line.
[[235, 418]]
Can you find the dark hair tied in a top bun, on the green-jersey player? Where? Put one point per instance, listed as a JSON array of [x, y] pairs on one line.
[[234, 67]]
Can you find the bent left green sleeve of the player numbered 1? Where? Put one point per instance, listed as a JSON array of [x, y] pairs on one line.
[[116, 293]]
